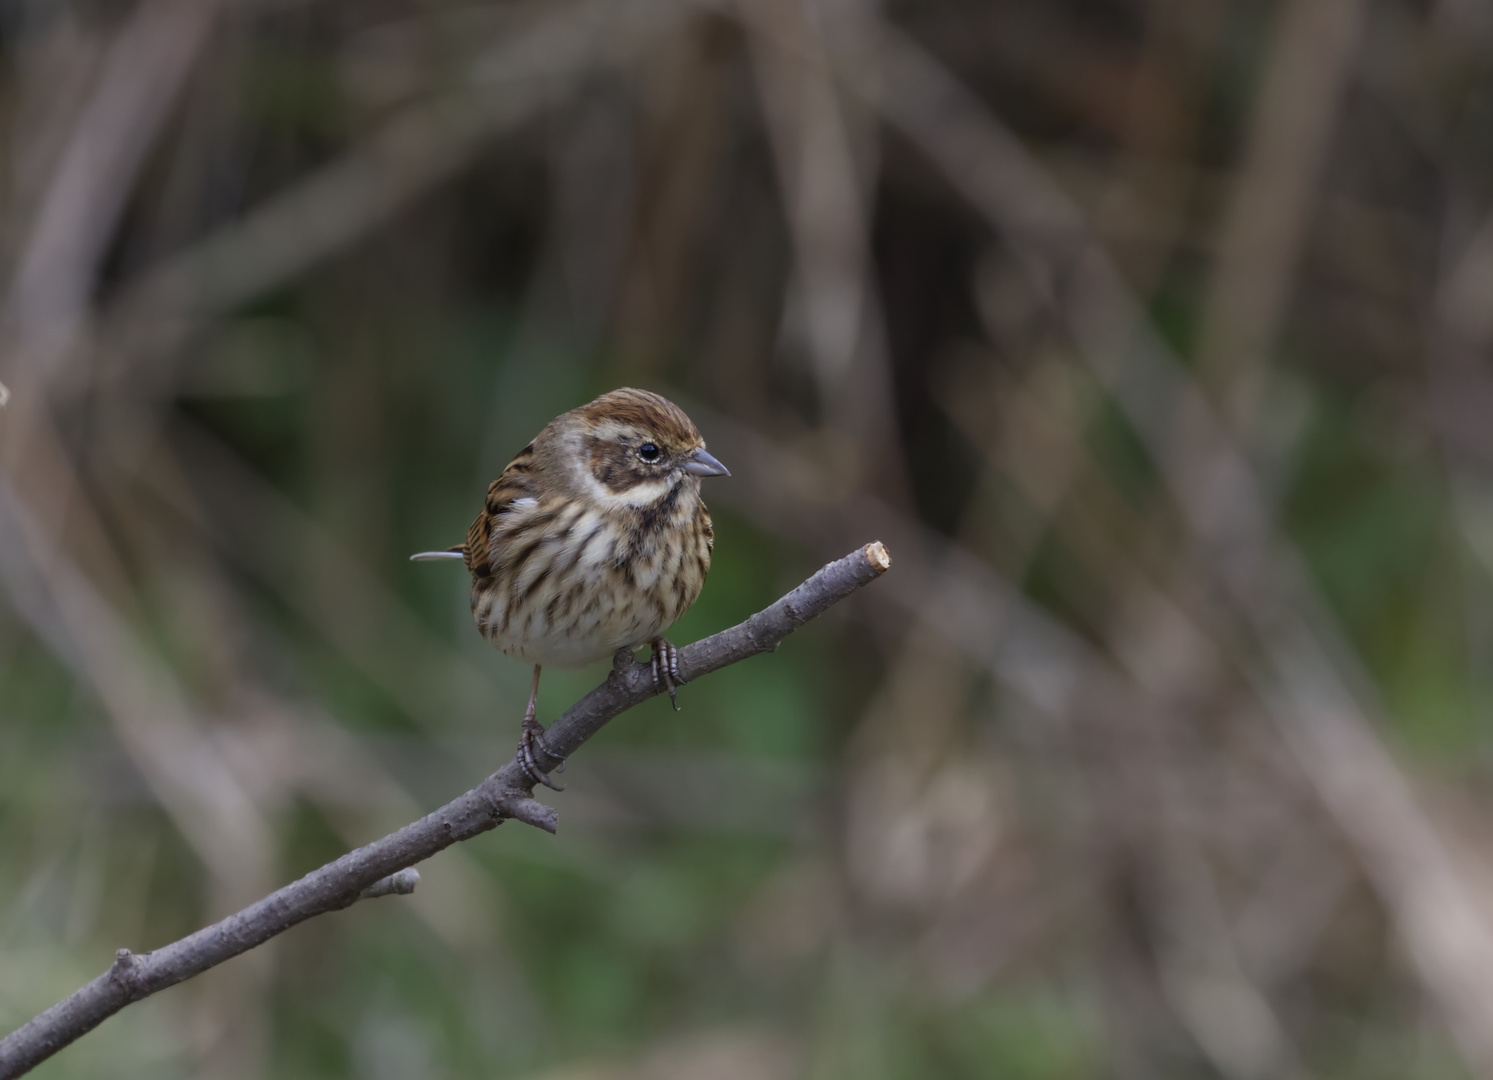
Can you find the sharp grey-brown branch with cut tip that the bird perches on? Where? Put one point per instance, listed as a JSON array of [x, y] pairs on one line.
[[383, 867]]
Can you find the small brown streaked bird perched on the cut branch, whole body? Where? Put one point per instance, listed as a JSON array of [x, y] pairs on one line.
[[595, 539]]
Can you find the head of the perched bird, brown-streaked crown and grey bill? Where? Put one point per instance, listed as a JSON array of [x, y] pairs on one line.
[[634, 447]]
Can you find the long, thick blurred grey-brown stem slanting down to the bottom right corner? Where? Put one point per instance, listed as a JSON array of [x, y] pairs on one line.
[[1444, 925]]
